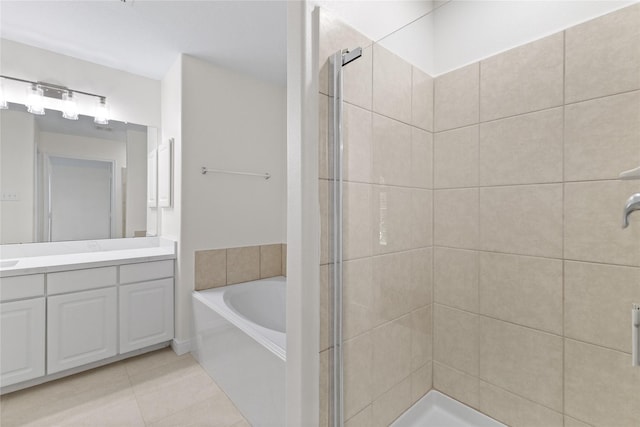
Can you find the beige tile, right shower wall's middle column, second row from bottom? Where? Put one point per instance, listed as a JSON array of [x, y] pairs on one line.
[[522, 360]]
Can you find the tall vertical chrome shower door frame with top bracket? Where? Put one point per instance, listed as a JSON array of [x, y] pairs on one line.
[[336, 62]]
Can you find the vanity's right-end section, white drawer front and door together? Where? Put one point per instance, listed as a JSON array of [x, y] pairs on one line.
[[146, 304]]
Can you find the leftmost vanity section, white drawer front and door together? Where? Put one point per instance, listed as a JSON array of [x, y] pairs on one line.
[[22, 328]]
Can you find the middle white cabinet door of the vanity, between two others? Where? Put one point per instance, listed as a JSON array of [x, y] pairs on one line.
[[81, 328]]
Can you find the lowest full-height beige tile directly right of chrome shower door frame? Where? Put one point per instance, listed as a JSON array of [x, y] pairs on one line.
[[358, 359]]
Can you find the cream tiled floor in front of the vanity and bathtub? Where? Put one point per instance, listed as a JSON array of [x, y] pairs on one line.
[[154, 389]]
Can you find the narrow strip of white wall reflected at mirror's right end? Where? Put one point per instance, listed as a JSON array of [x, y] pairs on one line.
[[136, 184]]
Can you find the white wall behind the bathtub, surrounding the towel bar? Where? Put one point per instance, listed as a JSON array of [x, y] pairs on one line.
[[221, 119]]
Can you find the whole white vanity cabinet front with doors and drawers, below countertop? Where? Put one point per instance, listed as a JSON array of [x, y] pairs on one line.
[[69, 320]]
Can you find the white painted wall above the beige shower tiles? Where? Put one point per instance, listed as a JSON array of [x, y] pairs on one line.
[[439, 37]]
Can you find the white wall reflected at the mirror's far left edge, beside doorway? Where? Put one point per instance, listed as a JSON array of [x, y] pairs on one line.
[[16, 176]]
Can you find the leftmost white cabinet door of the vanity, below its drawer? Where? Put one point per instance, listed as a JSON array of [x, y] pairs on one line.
[[21, 340]]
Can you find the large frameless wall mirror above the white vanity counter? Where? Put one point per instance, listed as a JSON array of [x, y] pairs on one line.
[[73, 179]]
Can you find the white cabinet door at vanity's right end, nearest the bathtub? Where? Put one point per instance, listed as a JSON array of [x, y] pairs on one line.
[[146, 314]]
